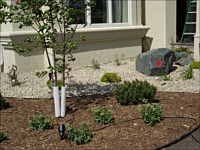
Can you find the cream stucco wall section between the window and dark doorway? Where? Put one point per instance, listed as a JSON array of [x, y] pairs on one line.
[[161, 18]]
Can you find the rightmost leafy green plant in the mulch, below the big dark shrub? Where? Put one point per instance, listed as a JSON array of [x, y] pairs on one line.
[[151, 113]]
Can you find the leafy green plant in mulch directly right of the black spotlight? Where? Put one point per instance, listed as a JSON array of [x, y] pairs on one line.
[[80, 135]]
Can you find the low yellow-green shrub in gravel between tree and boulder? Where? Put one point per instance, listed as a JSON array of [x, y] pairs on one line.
[[110, 77]]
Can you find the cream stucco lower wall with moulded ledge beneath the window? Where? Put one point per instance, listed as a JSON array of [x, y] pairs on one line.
[[102, 44]]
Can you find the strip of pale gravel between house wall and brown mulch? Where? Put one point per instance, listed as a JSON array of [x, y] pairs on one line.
[[87, 81]]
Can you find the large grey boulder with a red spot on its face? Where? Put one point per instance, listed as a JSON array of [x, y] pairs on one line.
[[155, 62]]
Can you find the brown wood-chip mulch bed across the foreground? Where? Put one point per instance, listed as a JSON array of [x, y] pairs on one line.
[[128, 131]]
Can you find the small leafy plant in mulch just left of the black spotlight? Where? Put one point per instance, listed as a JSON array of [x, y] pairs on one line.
[[39, 122]]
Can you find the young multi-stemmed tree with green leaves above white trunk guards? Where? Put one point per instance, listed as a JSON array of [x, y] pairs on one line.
[[55, 23]]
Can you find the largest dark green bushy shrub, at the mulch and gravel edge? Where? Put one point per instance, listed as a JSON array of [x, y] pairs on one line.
[[134, 92]]
